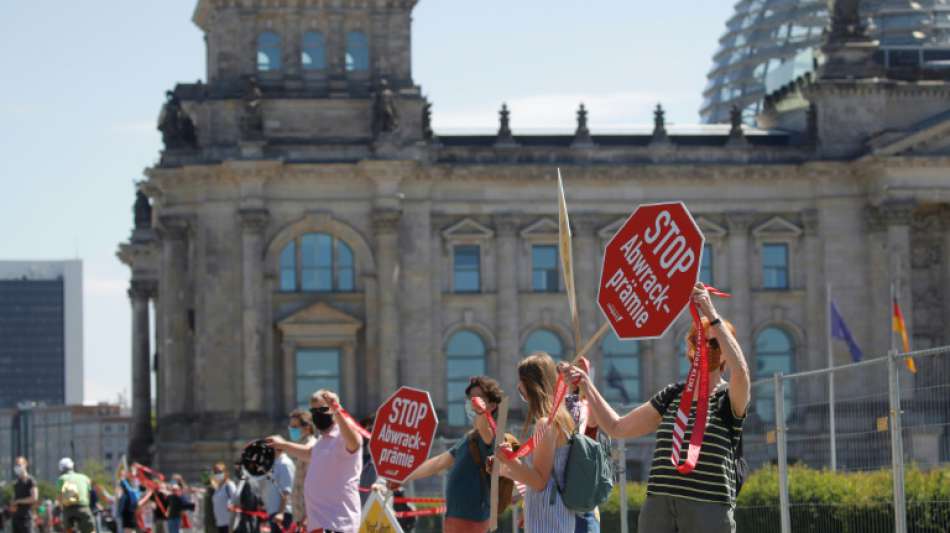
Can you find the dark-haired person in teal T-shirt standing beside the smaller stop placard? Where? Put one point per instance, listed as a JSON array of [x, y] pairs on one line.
[[467, 494]]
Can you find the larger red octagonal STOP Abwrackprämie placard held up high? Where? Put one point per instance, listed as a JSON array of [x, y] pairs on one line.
[[650, 267]]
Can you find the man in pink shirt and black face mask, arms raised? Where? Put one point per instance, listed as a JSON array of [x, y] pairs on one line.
[[331, 488]]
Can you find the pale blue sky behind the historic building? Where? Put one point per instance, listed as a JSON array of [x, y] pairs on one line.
[[84, 82]]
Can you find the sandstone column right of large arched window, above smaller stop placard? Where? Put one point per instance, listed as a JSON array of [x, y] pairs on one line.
[[385, 228]]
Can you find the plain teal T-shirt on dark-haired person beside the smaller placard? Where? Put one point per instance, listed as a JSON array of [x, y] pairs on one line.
[[467, 491]]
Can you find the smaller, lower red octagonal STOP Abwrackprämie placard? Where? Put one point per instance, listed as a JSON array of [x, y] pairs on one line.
[[402, 433]]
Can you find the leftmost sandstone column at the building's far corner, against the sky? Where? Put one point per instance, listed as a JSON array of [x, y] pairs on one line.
[[141, 438]]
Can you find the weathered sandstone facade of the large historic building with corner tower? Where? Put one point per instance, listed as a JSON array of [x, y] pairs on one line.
[[860, 197]]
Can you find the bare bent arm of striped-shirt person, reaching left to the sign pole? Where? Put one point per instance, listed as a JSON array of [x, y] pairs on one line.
[[641, 421]]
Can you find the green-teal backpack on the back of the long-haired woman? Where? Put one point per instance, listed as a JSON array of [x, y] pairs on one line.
[[588, 474]]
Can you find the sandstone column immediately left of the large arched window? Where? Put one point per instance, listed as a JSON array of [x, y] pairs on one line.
[[253, 224]]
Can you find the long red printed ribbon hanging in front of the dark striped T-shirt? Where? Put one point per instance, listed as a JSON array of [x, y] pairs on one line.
[[697, 370]]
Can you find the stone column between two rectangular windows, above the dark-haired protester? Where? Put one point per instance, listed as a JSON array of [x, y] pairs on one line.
[[506, 310]]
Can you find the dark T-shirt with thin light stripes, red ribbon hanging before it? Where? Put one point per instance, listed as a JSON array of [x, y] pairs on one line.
[[714, 478]]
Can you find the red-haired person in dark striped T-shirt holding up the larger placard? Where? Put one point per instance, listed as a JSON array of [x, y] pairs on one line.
[[703, 498]]
